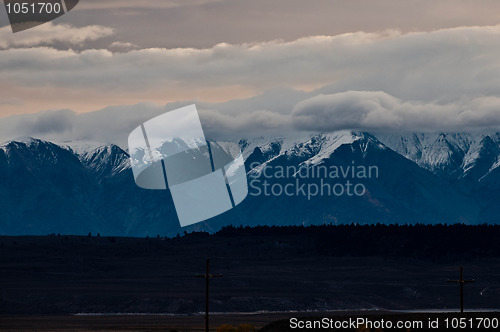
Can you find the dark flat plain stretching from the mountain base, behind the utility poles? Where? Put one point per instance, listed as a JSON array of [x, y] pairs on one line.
[[89, 283]]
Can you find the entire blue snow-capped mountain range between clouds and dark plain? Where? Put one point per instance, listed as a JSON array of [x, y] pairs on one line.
[[77, 188]]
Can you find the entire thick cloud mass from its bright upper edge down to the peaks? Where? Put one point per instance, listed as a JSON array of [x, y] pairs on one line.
[[442, 80]]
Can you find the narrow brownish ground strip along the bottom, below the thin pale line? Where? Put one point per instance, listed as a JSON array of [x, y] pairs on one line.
[[267, 322]]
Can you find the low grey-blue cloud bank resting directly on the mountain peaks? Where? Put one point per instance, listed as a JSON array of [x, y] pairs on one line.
[[373, 111]]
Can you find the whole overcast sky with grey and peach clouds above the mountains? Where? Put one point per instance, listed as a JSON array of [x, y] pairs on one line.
[[98, 71]]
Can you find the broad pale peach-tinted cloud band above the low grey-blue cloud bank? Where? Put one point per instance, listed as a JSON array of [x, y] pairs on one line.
[[442, 66]]
